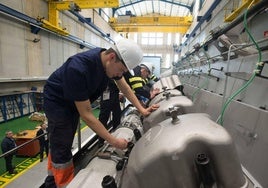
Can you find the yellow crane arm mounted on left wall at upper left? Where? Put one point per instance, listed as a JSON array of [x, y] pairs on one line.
[[54, 7]]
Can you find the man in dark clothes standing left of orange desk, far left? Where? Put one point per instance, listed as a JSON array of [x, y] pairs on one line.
[[8, 144]]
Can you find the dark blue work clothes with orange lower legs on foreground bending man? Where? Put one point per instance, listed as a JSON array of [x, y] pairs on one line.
[[80, 78]]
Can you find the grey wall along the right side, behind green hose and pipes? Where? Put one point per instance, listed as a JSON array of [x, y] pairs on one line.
[[245, 120]]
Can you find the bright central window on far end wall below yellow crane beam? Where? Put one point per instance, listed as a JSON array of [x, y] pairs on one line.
[[152, 38]]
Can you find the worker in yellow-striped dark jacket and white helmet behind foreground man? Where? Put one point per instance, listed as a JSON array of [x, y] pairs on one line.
[[138, 81]]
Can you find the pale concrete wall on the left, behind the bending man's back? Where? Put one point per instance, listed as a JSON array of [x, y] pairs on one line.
[[20, 57]]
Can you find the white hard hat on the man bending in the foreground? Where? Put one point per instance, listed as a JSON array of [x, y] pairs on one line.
[[129, 52]]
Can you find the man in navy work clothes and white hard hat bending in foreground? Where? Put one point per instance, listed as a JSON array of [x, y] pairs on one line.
[[68, 94]]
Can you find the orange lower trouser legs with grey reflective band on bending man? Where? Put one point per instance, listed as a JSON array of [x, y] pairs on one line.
[[63, 173]]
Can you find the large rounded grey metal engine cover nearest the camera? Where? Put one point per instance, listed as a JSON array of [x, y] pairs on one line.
[[191, 152]]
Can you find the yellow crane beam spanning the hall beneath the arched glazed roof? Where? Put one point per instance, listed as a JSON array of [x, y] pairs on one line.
[[151, 24]]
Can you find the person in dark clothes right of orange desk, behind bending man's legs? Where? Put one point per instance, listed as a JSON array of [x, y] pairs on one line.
[[43, 140]]
